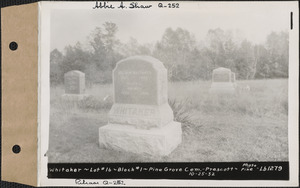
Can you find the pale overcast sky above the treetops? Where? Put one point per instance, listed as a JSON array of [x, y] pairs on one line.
[[255, 21]]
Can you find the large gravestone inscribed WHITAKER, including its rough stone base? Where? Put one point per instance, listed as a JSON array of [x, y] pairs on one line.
[[140, 120]]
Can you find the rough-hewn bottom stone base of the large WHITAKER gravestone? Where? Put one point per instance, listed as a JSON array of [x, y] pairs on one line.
[[155, 141]]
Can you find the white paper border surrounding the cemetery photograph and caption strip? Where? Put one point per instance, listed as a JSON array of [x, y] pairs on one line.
[[44, 101]]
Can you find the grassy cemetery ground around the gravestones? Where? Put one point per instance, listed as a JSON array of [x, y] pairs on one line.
[[249, 126]]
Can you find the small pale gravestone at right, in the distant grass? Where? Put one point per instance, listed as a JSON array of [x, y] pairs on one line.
[[223, 81]]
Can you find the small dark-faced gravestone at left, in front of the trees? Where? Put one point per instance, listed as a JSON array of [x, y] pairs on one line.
[[74, 82]]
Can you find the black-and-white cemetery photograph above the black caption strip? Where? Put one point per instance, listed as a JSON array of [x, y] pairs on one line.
[[185, 85]]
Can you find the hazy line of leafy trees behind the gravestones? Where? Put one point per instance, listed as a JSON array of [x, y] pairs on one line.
[[184, 57]]
